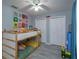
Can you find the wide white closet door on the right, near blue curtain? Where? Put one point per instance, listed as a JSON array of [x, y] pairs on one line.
[[57, 31]]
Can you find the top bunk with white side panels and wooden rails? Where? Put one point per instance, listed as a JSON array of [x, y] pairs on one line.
[[17, 36]]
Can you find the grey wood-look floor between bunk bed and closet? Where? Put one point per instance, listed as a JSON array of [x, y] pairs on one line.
[[46, 52]]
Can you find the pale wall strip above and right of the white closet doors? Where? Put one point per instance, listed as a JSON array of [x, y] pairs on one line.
[[63, 13]]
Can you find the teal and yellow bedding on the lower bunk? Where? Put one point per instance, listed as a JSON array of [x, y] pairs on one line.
[[24, 53]]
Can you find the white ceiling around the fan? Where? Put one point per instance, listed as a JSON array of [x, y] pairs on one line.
[[53, 6]]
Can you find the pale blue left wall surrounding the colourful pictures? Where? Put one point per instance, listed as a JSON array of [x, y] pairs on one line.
[[7, 17]]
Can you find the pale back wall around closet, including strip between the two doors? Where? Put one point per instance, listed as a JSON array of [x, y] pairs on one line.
[[67, 14]]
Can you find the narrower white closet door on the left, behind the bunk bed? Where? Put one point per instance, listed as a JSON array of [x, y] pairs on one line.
[[41, 24]]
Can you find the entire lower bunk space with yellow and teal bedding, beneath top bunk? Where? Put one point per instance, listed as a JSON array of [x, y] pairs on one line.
[[26, 47]]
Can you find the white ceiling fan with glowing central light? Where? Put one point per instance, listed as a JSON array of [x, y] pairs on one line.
[[36, 5]]
